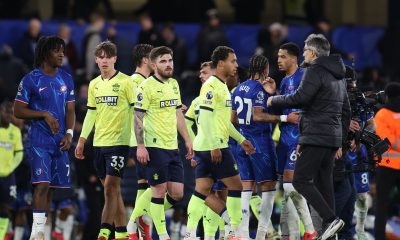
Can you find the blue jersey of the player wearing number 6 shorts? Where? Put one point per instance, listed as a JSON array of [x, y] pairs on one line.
[[289, 84]]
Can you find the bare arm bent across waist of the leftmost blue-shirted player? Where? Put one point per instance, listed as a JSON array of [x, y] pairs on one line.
[[22, 111]]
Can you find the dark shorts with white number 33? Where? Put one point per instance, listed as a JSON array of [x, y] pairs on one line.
[[110, 160]]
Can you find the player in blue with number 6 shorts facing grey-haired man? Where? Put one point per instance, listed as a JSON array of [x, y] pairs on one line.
[[286, 150]]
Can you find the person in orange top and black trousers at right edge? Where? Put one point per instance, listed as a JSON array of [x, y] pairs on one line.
[[388, 171]]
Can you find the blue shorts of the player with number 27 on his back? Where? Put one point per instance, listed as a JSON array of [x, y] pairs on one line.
[[261, 165]]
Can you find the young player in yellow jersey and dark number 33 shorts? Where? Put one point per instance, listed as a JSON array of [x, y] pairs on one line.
[[110, 102]]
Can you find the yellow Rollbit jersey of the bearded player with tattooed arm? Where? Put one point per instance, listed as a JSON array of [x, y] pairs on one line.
[[159, 100]]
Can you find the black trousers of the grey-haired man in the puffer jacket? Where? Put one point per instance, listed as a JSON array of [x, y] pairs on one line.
[[313, 178]]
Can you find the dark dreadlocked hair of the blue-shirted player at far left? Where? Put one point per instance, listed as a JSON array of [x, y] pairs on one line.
[[43, 48]]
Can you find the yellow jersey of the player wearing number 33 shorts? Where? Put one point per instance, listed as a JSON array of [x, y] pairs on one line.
[[112, 100]]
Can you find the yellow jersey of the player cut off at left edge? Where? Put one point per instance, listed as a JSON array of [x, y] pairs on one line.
[[10, 143]]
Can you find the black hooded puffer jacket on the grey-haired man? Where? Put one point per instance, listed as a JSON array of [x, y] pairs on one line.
[[322, 97]]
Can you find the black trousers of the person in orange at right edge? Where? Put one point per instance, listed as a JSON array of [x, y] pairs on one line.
[[386, 180]]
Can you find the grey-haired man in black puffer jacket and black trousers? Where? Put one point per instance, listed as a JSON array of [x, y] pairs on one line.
[[324, 122]]
